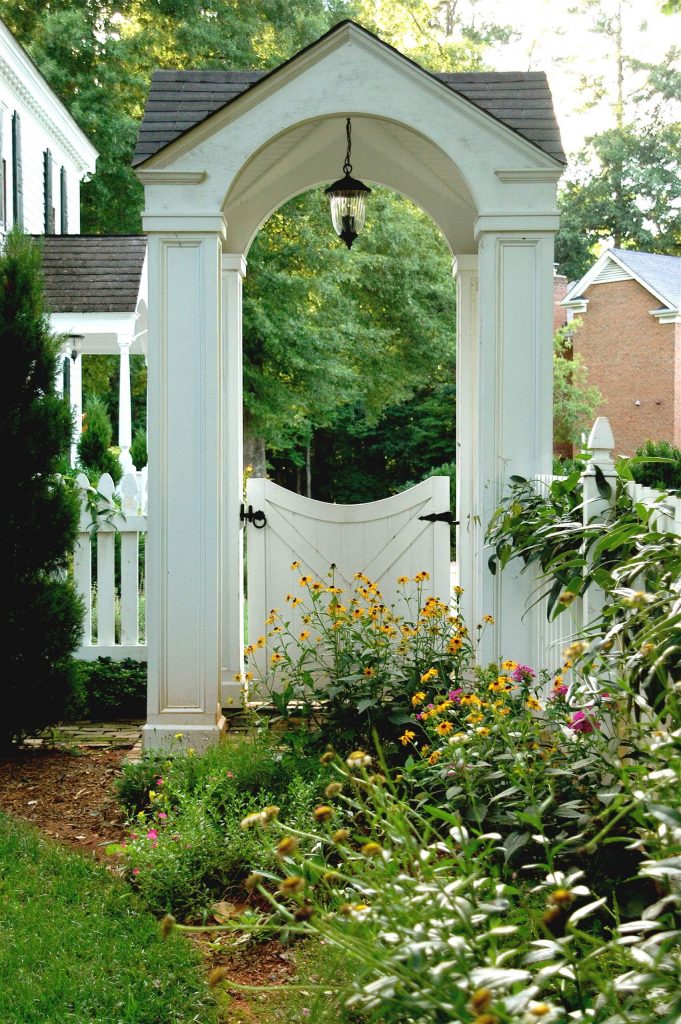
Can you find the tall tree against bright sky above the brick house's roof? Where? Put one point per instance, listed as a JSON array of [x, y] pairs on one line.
[[626, 183]]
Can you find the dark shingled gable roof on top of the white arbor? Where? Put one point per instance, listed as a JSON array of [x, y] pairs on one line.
[[180, 101]]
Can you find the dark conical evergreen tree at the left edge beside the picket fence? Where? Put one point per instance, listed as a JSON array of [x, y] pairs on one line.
[[44, 614]]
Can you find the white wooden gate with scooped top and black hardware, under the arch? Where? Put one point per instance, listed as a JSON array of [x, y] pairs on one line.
[[386, 540]]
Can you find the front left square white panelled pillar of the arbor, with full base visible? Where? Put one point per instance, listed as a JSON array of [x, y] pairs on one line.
[[185, 576]]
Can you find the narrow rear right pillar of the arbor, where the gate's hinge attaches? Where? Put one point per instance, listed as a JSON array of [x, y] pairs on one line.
[[471, 557]]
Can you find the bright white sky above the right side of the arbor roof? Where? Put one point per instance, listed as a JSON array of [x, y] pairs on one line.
[[554, 40]]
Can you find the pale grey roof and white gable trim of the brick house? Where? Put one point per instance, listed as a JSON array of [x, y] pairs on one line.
[[659, 274]]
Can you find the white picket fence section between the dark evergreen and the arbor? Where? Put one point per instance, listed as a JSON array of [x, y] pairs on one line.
[[113, 601]]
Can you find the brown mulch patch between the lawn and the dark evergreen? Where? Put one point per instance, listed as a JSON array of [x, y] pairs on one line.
[[69, 796]]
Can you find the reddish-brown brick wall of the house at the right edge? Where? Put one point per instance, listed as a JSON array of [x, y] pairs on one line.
[[631, 359]]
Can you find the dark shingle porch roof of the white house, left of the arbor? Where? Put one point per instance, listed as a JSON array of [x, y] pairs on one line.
[[93, 274]]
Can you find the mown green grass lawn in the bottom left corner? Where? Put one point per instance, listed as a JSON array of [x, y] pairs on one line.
[[76, 948]]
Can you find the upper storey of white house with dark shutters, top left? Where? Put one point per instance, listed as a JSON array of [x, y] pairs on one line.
[[45, 156]]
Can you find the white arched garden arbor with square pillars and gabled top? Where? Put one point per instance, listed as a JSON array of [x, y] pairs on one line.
[[490, 186]]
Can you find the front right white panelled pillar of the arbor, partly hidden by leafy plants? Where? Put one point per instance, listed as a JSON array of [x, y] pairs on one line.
[[515, 411]]
